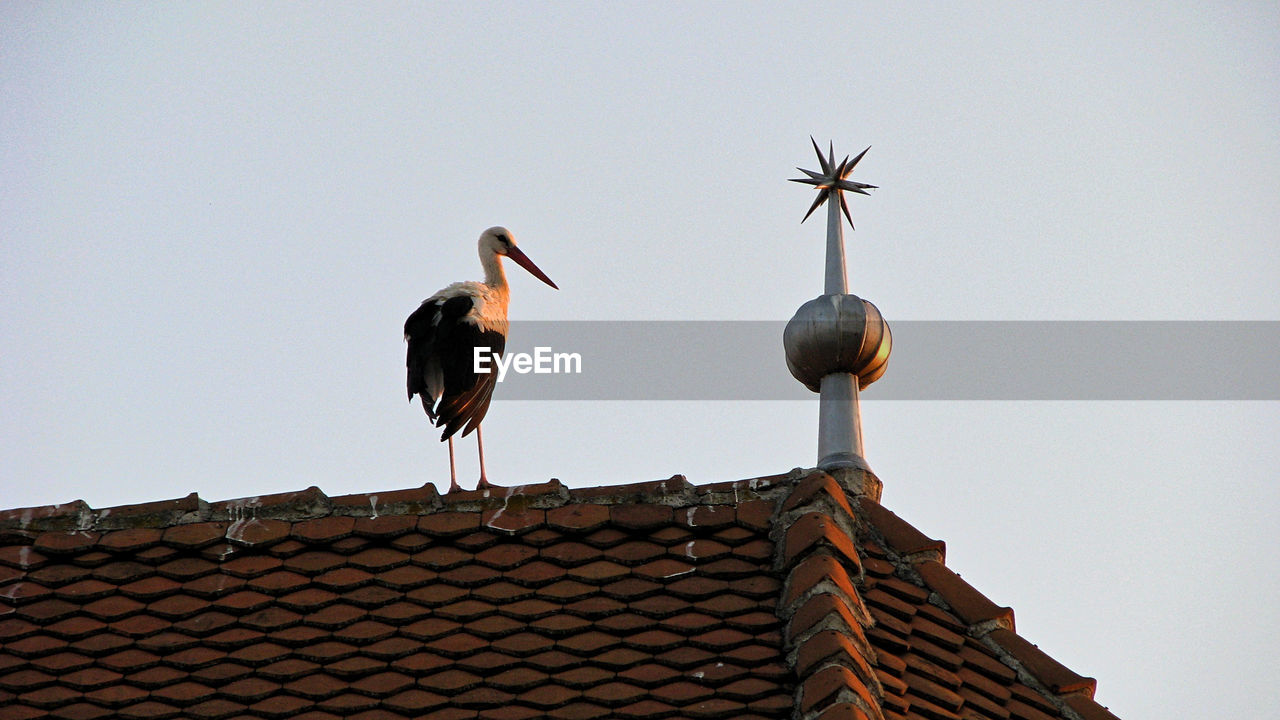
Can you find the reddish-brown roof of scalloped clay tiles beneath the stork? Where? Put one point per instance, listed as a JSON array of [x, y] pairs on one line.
[[790, 596]]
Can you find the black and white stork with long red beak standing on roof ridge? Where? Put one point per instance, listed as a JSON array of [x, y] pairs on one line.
[[444, 336]]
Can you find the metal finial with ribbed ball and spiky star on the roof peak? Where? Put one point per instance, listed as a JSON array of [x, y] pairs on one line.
[[838, 343]]
